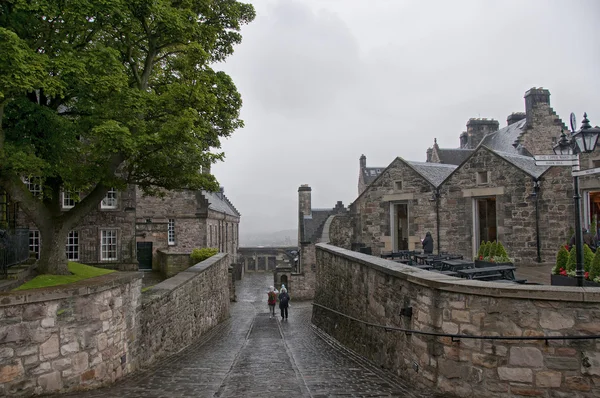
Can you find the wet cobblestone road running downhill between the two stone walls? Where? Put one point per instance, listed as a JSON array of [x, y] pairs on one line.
[[251, 355]]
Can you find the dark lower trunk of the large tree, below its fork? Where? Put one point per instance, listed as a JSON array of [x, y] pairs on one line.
[[53, 259]]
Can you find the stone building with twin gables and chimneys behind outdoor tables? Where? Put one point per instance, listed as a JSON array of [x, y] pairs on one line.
[[487, 189]]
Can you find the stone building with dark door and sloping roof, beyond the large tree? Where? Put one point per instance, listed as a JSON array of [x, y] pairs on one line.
[[183, 220]]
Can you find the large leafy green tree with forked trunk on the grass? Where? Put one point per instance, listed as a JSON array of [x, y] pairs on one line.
[[100, 94]]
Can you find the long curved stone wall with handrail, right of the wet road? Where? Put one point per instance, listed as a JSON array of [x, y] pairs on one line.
[[376, 290]]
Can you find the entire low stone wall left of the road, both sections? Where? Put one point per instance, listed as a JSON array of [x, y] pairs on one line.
[[93, 332]]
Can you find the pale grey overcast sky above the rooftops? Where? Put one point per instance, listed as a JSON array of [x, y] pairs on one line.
[[324, 81]]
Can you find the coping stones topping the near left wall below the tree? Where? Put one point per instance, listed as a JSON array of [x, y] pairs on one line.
[[79, 288]]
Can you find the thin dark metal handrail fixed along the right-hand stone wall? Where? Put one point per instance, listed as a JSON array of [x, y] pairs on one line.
[[458, 337]]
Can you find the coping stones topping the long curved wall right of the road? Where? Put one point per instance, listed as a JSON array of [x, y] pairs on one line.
[[456, 285]]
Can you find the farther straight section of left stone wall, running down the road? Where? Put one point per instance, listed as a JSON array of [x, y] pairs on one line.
[[178, 310]]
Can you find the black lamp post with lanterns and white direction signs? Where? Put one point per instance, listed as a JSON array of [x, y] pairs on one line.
[[582, 141]]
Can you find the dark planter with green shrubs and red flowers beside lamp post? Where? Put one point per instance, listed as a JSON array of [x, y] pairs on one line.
[[563, 273]]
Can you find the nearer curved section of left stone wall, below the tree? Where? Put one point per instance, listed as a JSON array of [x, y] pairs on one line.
[[55, 339]]
